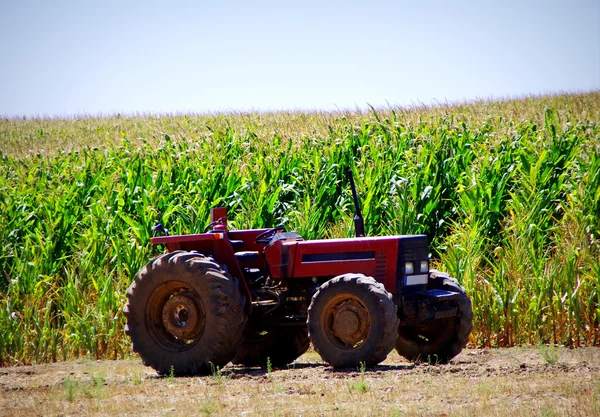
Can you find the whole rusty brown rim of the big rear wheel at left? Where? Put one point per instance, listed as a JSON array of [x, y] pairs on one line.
[[176, 316]]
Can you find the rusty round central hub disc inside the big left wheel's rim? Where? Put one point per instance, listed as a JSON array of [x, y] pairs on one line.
[[182, 316]]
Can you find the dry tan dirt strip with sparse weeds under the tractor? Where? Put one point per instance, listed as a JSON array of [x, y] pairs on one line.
[[505, 382]]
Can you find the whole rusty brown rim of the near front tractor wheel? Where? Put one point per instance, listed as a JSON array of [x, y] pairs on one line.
[[347, 321]]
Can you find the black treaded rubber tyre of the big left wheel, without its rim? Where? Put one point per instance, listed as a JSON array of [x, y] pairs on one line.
[[217, 344]]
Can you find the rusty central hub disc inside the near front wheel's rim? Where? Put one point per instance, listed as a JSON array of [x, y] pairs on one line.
[[350, 322]]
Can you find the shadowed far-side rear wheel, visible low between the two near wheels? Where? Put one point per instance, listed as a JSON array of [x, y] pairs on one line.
[[280, 346]]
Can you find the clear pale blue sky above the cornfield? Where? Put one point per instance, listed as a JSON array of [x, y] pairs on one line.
[[87, 57]]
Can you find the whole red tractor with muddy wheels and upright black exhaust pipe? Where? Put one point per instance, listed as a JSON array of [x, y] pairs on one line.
[[252, 296]]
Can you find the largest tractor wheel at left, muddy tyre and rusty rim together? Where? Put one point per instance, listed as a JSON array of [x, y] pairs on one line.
[[185, 315]]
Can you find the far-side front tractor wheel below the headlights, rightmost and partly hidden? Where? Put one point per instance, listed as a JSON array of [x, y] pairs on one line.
[[440, 340]]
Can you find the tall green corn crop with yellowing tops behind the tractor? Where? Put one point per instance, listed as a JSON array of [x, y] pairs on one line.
[[507, 192]]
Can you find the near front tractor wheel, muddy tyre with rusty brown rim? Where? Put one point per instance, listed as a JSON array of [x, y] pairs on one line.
[[352, 319]]
